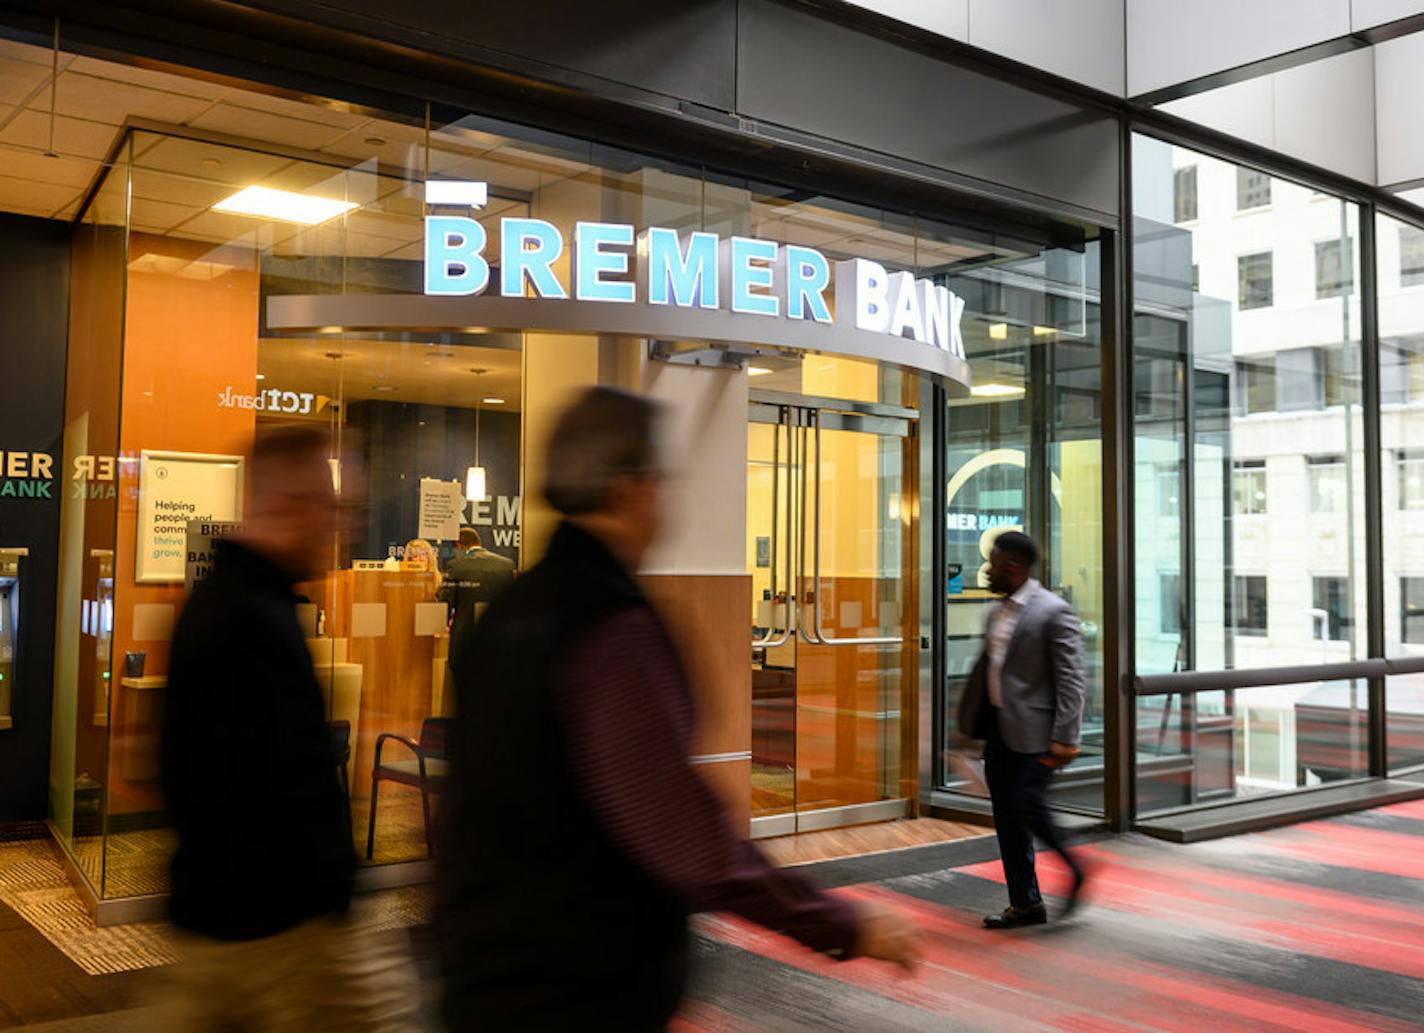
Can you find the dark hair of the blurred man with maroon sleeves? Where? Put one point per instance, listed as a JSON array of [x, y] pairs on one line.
[[606, 435]]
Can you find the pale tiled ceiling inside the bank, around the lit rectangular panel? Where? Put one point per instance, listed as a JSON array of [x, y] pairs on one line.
[[375, 163]]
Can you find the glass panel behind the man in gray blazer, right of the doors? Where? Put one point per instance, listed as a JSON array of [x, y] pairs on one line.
[[1025, 452]]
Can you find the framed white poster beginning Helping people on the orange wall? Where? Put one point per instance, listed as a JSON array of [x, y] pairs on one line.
[[176, 489]]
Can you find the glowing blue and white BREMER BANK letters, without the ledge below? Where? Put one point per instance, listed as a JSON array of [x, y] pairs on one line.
[[614, 264]]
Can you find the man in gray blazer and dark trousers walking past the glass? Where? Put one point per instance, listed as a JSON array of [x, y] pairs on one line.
[[1025, 699]]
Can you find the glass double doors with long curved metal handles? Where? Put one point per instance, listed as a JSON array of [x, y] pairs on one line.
[[832, 555]]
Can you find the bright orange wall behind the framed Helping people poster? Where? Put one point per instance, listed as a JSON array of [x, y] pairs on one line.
[[187, 338]]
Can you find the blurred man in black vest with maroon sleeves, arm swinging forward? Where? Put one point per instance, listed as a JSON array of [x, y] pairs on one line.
[[579, 836]]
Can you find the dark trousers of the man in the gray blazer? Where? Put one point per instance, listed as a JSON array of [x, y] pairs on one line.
[[1019, 790]]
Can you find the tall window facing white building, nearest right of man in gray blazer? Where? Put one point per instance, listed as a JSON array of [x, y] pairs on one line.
[[1250, 475]]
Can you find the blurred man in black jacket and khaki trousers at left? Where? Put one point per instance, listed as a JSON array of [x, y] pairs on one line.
[[263, 876]]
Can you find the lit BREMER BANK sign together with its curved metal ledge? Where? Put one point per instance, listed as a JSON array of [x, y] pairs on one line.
[[738, 296]]
